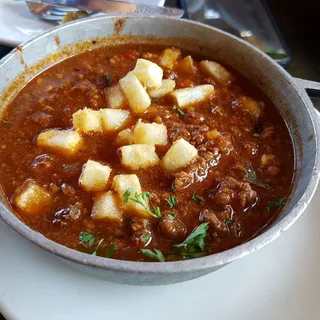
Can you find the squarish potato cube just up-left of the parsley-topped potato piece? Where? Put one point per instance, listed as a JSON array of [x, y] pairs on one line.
[[94, 176]]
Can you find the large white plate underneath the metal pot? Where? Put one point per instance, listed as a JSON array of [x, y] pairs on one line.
[[279, 282]]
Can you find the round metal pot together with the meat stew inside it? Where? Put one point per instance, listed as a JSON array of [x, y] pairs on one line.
[[155, 212]]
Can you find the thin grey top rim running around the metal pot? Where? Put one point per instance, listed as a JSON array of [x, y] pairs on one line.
[[172, 267]]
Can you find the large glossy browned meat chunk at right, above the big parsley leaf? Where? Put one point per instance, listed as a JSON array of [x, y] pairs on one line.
[[231, 189]]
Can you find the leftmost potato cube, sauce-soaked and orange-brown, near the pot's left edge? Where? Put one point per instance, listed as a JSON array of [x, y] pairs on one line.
[[31, 198]]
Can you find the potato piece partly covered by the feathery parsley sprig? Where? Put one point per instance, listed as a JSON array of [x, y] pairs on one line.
[[124, 182]]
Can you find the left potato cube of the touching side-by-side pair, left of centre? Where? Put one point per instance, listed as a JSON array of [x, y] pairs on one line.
[[87, 120]]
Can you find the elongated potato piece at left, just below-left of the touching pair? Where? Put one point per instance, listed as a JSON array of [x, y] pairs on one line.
[[66, 142]]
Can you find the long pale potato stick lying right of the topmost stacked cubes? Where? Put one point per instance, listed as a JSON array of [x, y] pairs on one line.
[[188, 96]]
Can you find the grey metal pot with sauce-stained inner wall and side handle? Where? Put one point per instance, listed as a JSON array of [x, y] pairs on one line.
[[288, 95]]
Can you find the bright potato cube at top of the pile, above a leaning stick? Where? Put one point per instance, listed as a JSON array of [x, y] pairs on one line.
[[149, 73]]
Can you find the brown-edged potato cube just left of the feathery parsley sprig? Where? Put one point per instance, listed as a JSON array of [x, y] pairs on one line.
[[106, 206]]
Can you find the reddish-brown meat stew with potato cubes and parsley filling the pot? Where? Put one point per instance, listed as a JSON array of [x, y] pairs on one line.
[[144, 153]]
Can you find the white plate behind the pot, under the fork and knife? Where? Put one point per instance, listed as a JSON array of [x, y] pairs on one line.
[[17, 24]]
